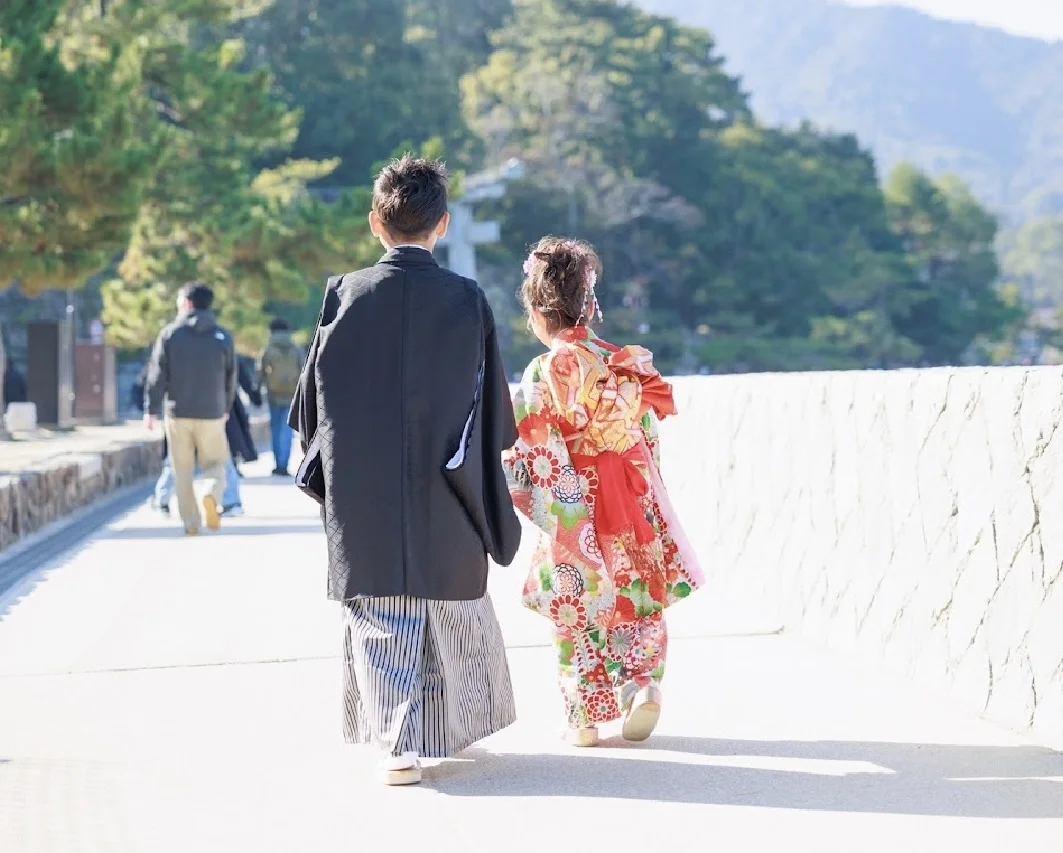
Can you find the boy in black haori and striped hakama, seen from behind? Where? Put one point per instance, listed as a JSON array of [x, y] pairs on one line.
[[404, 407]]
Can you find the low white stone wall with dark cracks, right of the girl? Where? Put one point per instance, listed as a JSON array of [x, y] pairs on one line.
[[913, 516]]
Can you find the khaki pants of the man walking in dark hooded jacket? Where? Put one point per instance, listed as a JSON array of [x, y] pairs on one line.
[[188, 440]]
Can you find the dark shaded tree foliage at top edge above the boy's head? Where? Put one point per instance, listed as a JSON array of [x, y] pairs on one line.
[[373, 75]]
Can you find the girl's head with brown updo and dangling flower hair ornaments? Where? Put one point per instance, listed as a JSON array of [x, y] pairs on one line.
[[560, 279]]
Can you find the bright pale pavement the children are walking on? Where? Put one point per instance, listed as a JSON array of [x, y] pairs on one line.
[[161, 694]]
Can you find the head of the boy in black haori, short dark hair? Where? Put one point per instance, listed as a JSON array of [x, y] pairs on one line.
[[410, 196]]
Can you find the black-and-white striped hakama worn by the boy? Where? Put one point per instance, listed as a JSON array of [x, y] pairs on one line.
[[425, 677]]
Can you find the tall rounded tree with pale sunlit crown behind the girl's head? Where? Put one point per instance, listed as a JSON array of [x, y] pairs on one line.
[[617, 116]]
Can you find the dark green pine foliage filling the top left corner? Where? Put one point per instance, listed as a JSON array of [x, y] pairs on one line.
[[76, 157]]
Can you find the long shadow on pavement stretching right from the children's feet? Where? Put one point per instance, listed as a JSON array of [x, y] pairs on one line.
[[910, 779]]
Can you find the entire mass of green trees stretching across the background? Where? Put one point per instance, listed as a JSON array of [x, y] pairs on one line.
[[729, 244]]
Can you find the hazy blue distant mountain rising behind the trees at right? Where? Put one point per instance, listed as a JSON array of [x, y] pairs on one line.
[[950, 97]]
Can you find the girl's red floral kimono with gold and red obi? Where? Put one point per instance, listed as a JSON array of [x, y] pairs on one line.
[[612, 555]]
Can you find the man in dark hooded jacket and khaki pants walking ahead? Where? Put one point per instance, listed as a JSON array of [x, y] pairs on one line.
[[194, 371]]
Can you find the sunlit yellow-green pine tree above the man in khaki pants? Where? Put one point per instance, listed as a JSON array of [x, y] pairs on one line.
[[256, 237]]
